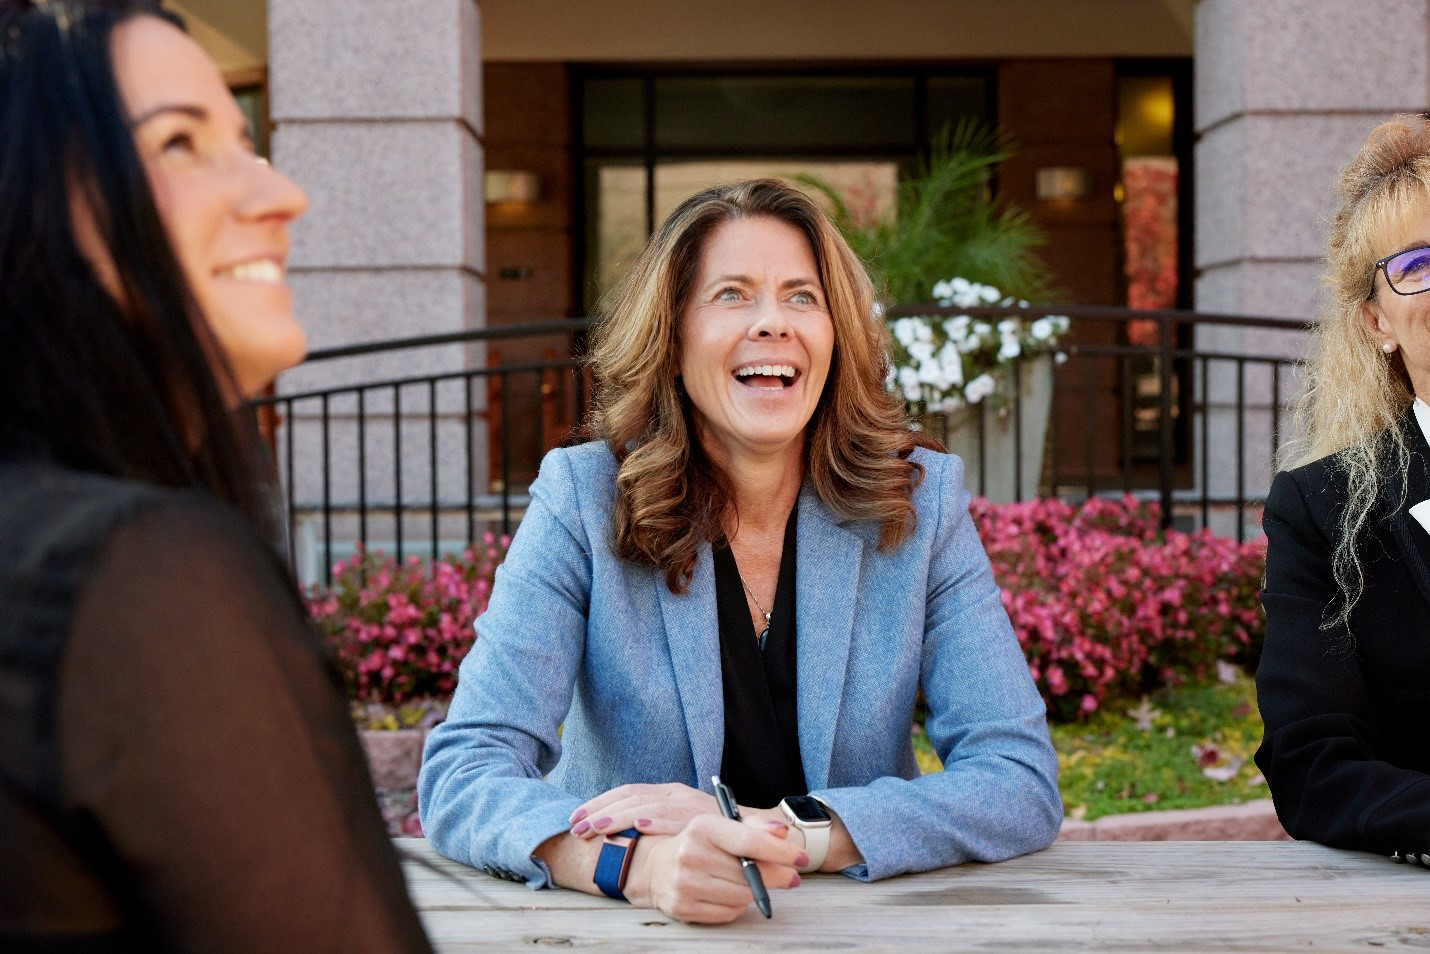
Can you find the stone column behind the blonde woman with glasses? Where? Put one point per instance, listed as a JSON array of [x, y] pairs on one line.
[[1286, 92]]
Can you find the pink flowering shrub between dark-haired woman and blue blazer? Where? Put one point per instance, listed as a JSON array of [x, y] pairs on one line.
[[400, 631]]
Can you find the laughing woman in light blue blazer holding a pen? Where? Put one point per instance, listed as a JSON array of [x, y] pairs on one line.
[[751, 574]]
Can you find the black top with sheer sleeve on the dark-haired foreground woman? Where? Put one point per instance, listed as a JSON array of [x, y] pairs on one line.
[[178, 766]]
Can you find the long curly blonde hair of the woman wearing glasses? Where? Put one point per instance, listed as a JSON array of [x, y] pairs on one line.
[[1356, 394]]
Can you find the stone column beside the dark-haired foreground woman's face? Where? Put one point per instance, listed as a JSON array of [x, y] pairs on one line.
[[378, 114]]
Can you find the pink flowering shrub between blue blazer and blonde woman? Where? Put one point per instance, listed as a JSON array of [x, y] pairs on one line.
[[1106, 607]]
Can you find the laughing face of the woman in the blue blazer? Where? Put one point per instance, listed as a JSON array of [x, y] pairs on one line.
[[756, 340]]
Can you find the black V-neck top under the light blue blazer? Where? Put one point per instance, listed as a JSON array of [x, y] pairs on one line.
[[761, 762]]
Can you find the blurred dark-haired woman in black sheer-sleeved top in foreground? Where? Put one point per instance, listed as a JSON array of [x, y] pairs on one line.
[[178, 769]]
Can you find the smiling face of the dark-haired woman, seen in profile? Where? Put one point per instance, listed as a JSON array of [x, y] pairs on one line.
[[225, 211]]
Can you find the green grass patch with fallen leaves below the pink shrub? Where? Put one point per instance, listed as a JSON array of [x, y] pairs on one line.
[[1143, 759]]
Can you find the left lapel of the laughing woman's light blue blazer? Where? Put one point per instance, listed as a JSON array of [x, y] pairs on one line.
[[693, 634]]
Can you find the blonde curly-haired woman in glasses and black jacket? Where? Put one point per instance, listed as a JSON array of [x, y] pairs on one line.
[[1345, 679]]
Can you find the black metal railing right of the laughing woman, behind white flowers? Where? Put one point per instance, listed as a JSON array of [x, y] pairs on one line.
[[1195, 474]]
